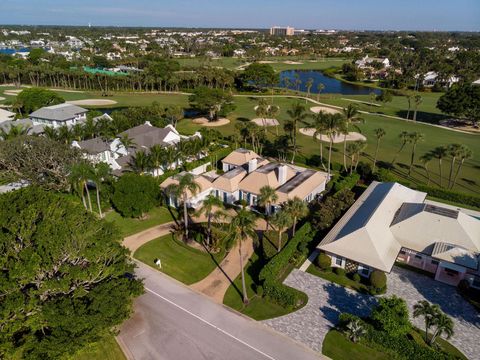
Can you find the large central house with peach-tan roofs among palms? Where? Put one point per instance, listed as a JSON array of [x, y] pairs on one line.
[[245, 173]]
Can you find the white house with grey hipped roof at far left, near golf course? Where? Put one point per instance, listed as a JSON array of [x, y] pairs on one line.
[[59, 115]]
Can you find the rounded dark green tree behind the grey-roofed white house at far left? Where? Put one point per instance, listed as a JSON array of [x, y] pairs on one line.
[[32, 99]]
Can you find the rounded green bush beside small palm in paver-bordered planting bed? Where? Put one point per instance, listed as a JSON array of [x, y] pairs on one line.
[[391, 316]]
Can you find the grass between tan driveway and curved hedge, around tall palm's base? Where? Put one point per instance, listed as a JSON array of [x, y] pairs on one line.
[[258, 308]]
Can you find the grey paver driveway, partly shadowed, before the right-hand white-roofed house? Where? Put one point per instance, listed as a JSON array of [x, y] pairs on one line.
[[327, 300]]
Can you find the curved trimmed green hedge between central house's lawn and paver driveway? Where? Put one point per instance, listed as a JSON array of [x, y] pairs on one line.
[[269, 276]]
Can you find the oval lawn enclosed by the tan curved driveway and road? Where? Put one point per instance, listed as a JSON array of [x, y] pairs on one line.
[[179, 261]]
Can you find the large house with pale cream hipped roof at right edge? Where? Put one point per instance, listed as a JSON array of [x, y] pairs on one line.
[[391, 222]]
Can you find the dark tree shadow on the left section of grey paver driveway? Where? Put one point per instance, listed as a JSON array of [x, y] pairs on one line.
[[341, 300]]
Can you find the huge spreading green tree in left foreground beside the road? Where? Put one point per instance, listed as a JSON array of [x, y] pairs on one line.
[[63, 282]]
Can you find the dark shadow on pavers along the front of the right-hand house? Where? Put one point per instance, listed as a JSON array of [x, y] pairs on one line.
[[439, 293]]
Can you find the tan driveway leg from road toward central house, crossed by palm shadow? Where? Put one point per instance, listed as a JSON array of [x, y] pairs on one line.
[[215, 285]]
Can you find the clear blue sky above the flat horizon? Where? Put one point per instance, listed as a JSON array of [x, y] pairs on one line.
[[459, 15]]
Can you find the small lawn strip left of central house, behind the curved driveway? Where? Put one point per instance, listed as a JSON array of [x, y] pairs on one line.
[[129, 226]]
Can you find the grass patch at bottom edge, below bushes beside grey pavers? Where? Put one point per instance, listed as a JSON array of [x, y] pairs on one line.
[[337, 347]]
